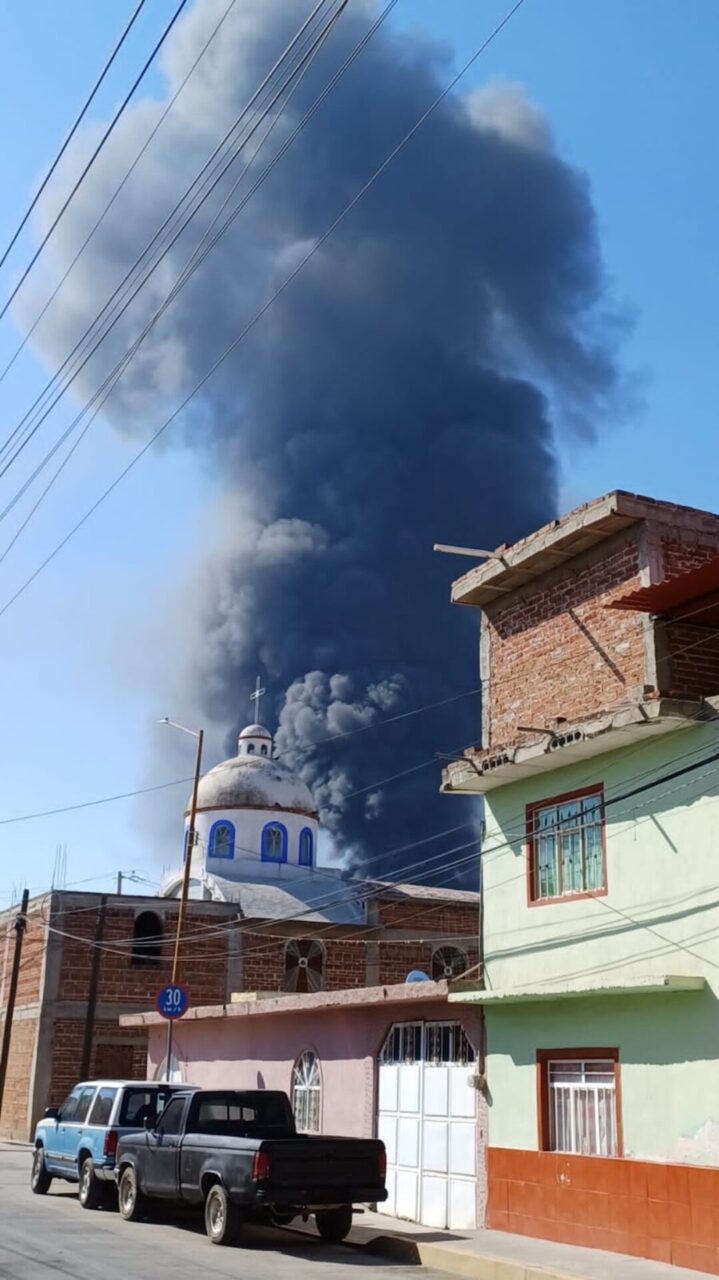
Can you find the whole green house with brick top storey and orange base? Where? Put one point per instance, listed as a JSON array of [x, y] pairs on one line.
[[599, 770]]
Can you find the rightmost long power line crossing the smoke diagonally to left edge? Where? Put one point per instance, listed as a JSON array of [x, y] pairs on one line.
[[264, 309]]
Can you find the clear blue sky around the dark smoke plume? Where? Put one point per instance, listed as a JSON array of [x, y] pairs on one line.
[[630, 95]]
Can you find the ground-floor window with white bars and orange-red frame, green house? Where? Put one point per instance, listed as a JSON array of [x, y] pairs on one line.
[[581, 1107]]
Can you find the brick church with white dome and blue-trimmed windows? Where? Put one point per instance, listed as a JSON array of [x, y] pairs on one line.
[[264, 918]]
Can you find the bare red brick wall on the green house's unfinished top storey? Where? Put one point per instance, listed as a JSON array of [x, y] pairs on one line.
[[556, 651]]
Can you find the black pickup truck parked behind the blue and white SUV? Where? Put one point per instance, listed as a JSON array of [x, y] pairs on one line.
[[239, 1154]]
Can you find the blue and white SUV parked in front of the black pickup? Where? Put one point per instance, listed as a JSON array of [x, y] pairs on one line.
[[79, 1141]]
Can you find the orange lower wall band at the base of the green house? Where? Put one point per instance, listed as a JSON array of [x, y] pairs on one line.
[[667, 1213]]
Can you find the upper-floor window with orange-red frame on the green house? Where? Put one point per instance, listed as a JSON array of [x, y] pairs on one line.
[[566, 847]]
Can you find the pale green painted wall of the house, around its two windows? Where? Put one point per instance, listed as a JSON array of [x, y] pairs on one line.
[[661, 916]]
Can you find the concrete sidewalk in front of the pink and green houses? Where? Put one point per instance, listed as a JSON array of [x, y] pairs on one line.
[[501, 1256]]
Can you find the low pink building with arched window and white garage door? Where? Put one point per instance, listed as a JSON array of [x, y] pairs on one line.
[[386, 1062]]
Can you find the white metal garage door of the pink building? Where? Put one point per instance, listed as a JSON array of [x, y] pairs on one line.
[[428, 1123]]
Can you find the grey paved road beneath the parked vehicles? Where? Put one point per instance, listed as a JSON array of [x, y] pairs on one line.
[[43, 1238]]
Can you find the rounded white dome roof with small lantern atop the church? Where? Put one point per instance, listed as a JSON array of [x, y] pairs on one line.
[[254, 780]]
